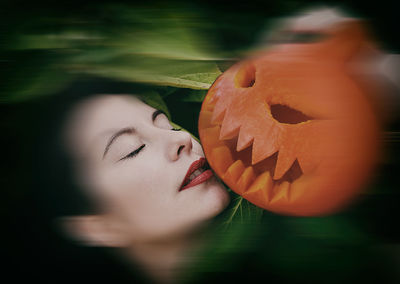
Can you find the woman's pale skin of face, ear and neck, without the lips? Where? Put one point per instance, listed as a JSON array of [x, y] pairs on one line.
[[132, 162]]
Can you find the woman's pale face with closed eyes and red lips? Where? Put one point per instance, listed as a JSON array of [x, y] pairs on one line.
[[135, 167]]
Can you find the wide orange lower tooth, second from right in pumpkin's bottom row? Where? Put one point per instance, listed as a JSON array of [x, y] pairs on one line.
[[260, 189]]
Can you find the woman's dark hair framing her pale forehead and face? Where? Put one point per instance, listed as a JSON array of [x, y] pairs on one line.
[[56, 184]]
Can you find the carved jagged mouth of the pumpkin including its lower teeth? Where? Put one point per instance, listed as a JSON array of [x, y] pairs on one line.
[[237, 171]]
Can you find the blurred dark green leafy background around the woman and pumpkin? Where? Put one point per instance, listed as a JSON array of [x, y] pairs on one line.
[[176, 49]]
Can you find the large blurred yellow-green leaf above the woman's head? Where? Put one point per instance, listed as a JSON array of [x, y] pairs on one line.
[[127, 43]]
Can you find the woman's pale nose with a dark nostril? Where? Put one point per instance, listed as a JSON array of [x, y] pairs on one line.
[[179, 143]]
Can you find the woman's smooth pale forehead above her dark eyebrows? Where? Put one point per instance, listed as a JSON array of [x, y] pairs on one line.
[[102, 116]]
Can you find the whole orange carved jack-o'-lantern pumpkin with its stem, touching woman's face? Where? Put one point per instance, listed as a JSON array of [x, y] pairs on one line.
[[290, 130]]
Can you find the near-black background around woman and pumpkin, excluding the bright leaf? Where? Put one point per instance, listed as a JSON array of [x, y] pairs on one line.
[[296, 251]]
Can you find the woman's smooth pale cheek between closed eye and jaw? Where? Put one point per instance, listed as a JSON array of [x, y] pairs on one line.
[[141, 200]]
